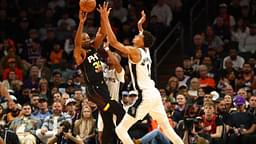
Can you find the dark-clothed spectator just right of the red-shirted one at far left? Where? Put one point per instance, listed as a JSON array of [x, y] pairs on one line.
[[33, 80]]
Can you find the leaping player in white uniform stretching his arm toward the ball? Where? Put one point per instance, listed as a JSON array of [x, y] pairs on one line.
[[149, 100]]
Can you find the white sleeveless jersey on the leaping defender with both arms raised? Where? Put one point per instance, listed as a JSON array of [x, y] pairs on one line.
[[141, 71]]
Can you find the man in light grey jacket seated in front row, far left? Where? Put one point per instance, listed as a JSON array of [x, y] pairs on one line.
[[25, 126]]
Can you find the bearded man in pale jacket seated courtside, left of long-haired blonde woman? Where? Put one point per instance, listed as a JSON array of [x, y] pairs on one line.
[[51, 123]]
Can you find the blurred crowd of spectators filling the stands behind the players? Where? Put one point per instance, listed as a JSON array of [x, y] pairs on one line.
[[210, 98]]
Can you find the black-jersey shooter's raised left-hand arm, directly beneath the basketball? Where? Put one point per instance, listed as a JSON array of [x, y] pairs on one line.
[[79, 53]]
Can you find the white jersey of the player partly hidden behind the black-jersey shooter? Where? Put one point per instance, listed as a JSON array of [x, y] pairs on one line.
[[113, 79]]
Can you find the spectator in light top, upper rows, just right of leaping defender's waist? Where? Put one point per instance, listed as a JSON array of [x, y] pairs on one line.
[[183, 79]]
